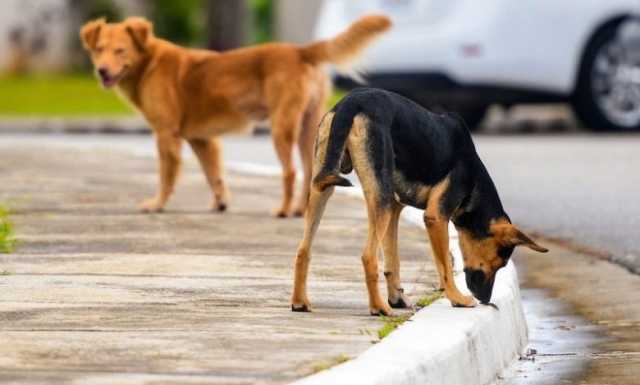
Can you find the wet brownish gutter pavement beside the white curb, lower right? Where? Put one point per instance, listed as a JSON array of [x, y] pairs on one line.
[[584, 325]]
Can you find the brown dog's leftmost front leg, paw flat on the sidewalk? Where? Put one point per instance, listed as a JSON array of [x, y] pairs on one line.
[[169, 147]]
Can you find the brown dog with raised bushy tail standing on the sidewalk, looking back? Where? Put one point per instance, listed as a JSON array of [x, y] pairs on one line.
[[198, 95]]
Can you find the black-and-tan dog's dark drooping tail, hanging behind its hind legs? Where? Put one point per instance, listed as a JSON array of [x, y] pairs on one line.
[[333, 144]]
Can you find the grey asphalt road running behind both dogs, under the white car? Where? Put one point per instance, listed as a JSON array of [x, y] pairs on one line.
[[578, 187]]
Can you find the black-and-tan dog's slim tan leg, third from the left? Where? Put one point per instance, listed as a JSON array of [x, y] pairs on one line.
[[395, 292]]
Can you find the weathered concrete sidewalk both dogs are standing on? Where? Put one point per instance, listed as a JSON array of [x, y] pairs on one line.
[[101, 294]]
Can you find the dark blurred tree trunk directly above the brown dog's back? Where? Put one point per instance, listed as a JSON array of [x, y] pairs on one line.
[[227, 22]]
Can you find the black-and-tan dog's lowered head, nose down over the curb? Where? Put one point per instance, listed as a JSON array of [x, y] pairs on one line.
[[483, 257]]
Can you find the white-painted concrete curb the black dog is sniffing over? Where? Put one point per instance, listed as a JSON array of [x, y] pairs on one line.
[[440, 344]]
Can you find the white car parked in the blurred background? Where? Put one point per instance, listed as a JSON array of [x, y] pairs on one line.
[[467, 54]]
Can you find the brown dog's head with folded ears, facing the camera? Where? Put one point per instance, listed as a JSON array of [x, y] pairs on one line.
[[116, 48]]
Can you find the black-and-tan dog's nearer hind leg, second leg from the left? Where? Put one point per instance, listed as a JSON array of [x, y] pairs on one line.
[[372, 162]]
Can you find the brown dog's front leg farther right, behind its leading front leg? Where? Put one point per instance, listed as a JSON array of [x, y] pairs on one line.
[[209, 153]]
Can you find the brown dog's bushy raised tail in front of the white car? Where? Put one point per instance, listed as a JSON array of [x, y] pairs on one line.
[[348, 45]]
